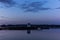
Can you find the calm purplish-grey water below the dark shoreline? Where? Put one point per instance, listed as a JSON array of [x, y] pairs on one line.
[[51, 34]]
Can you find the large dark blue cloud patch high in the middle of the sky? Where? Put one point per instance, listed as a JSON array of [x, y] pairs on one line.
[[34, 6]]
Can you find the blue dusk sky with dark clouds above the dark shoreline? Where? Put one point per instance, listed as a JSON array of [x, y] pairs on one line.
[[30, 11]]
